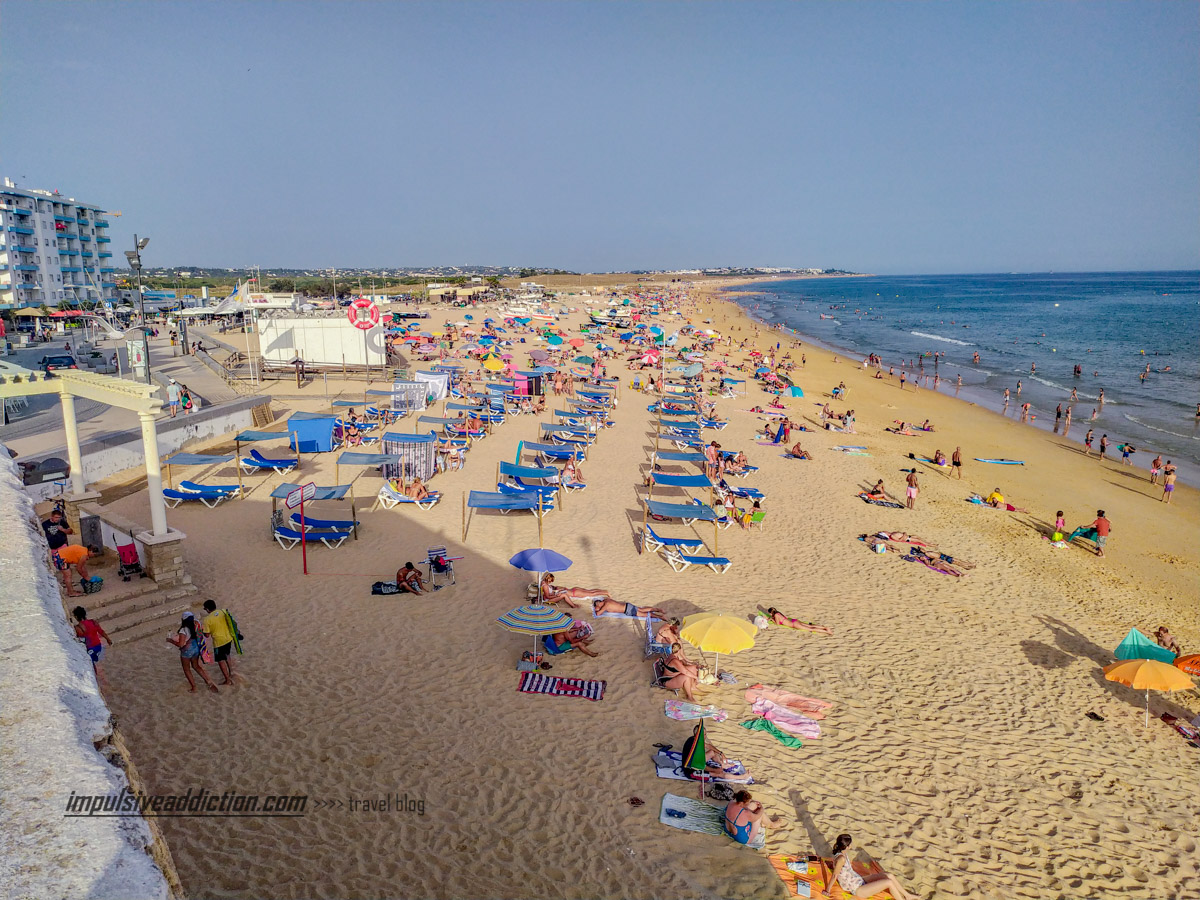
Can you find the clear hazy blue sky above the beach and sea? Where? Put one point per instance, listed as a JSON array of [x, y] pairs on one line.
[[940, 137]]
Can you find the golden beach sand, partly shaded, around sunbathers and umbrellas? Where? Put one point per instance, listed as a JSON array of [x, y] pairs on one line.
[[958, 752]]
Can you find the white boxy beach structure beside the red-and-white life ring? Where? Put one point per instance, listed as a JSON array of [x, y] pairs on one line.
[[321, 343]]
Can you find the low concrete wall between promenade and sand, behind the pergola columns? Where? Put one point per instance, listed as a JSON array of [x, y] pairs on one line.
[[123, 451]]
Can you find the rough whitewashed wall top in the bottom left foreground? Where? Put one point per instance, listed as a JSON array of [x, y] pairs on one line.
[[53, 719]]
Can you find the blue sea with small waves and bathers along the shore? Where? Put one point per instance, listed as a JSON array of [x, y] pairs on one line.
[[1030, 331]]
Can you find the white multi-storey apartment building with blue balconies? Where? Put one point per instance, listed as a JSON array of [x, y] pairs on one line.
[[53, 250]]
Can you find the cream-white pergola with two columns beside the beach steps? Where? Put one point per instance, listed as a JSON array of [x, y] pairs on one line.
[[69, 385]]
